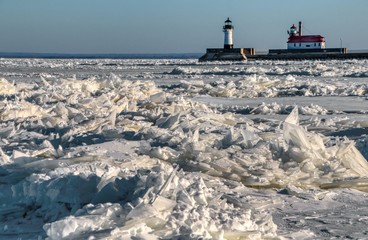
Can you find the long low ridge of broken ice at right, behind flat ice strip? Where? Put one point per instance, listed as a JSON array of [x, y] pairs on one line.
[[254, 86]]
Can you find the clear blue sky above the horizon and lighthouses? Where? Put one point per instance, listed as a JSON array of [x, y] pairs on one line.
[[173, 26]]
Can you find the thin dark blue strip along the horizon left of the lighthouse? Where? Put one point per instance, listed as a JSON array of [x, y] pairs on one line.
[[99, 56]]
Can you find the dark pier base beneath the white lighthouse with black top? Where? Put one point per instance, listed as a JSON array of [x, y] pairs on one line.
[[222, 54]]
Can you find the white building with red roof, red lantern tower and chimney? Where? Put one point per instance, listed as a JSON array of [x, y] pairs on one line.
[[298, 41]]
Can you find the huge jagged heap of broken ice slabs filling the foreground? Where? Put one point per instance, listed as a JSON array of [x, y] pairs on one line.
[[178, 158]]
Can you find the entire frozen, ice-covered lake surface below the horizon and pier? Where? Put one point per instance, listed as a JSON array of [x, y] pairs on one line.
[[176, 149]]
